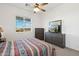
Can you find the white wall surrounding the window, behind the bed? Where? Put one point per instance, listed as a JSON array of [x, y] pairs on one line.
[[8, 15]]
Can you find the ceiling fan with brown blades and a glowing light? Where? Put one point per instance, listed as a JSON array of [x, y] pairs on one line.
[[38, 7]]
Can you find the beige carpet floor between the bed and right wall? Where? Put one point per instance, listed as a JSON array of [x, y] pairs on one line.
[[65, 51]]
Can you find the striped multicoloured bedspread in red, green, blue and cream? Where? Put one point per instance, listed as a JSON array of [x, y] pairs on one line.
[[25, 47]]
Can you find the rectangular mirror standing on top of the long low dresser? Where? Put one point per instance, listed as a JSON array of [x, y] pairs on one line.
[[55, 26]]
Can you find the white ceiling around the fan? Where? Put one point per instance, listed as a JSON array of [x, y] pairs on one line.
[[30, 7]]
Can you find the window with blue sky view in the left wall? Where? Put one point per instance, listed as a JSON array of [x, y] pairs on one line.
[[23, 24]]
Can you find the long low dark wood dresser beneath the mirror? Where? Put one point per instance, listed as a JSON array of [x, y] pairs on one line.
[[55, 38]]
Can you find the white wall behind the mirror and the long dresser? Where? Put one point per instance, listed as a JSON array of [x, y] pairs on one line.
[[69, 14]]
